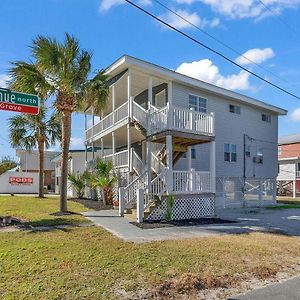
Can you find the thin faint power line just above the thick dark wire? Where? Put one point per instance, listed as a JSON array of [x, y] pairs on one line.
[[219, 41]]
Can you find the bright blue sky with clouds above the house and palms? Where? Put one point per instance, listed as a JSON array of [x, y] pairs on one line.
[[111, 28]]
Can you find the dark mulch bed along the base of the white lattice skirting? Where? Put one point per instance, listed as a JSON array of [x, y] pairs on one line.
[[180, 223]]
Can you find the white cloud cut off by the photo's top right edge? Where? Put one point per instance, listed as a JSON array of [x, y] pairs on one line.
[[237, 9]]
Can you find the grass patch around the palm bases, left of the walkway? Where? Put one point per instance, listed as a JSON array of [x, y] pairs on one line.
[[38, 211]]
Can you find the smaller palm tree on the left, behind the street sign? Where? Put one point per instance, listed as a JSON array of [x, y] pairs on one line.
[[29, 132]]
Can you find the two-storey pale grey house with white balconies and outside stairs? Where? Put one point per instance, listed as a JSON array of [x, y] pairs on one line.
[[171, 134]]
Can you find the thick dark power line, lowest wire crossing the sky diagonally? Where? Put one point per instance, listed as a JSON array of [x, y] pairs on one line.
[[212, 50]]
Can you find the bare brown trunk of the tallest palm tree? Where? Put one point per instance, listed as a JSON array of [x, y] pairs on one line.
[[65, 139]]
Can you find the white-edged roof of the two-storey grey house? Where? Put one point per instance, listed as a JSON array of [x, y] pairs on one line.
[[127, 61]]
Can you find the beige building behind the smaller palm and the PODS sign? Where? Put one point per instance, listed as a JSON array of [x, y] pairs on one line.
[[29, 162]]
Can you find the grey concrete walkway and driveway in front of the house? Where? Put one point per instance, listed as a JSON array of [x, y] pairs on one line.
[[286, 221]]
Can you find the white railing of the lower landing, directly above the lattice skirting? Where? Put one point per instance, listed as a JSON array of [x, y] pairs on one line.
[[192, 182]]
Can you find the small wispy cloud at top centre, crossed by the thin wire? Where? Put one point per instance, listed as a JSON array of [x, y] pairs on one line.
[[175, 21]]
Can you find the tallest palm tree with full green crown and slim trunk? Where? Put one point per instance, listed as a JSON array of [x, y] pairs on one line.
[[63, 70]]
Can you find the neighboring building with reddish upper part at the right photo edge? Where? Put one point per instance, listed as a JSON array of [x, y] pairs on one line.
[[289, 164]]
